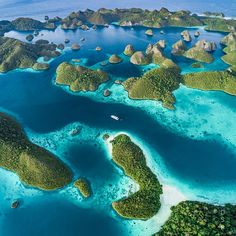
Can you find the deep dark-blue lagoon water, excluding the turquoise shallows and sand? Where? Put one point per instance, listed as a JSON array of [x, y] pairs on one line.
[[43, 107]]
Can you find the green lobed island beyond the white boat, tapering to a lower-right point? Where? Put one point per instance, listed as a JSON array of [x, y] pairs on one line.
[[157, 84]]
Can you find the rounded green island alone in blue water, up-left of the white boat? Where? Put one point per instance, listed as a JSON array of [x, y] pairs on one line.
[[80, 78]]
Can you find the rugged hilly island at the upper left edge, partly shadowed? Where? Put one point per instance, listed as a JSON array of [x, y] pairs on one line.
[[17, 54]]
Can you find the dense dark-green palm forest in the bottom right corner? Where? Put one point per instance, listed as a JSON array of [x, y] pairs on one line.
[[200, 219]]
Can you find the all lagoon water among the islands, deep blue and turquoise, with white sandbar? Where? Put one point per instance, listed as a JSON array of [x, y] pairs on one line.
[[191, 149]]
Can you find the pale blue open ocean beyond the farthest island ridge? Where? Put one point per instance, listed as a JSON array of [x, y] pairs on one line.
[[38, 9]]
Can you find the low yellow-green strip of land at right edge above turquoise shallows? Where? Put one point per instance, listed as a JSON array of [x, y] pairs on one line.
[[212, 80]]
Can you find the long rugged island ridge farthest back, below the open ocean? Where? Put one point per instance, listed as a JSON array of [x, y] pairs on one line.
[[148, 18]]
